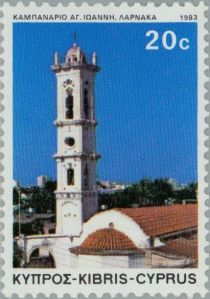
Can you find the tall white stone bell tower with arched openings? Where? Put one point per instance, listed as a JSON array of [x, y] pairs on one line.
[[76, 157]]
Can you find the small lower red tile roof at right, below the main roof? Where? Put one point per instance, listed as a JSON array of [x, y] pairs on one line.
[[181, 247]]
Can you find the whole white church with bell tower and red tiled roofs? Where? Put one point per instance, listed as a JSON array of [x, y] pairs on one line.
[[159, 236]]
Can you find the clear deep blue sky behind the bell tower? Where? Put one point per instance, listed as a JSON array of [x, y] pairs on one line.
[[146, 101]]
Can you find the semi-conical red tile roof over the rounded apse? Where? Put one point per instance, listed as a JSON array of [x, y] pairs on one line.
[[106, 241]]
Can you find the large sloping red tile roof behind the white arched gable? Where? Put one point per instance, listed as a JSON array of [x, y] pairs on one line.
[[161, 220]]
